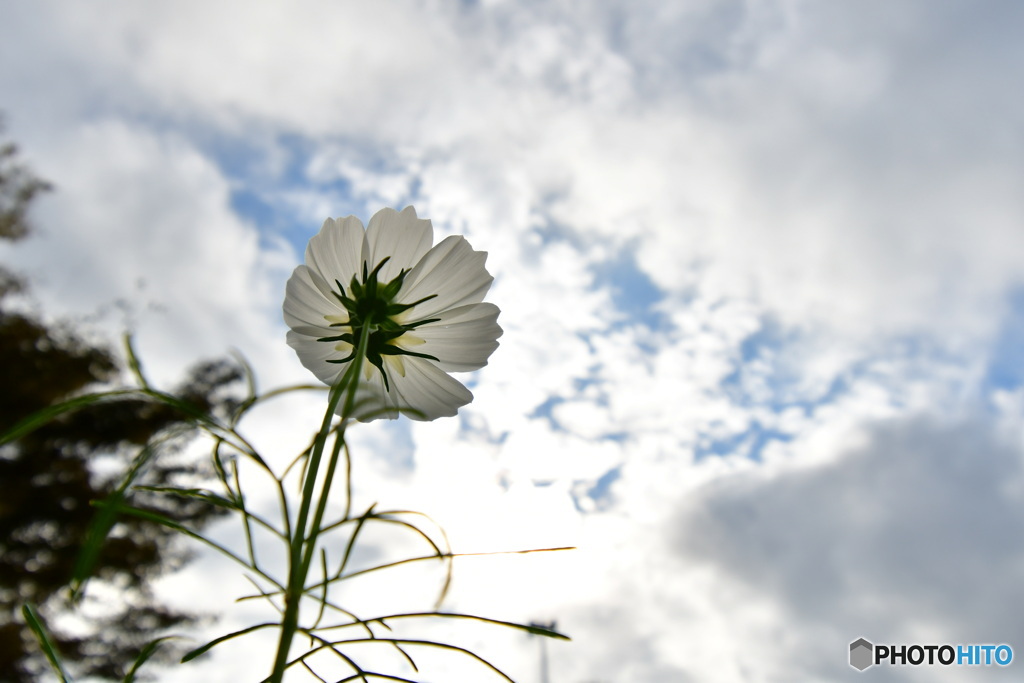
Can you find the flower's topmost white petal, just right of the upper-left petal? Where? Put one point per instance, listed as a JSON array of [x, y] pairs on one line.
[[402, 236]]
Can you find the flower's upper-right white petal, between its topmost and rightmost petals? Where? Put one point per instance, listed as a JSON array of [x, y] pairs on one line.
[[453, 272]]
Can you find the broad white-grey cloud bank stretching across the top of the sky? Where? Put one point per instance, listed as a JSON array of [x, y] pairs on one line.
[[800, 154]]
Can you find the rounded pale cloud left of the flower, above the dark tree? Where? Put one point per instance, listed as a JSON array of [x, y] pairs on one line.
[[141, 233]]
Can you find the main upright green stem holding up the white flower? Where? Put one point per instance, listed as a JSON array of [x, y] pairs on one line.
[[303, 548]]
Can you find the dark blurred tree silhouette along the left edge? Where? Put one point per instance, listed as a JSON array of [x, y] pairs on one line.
[[50, 478]]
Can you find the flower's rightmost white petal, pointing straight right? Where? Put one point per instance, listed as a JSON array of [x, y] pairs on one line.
[[463, 338]]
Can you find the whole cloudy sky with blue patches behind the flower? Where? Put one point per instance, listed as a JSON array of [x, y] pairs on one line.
[[760, 272]]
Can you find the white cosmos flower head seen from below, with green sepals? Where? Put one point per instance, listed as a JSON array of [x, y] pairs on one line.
[[423, 306]]
